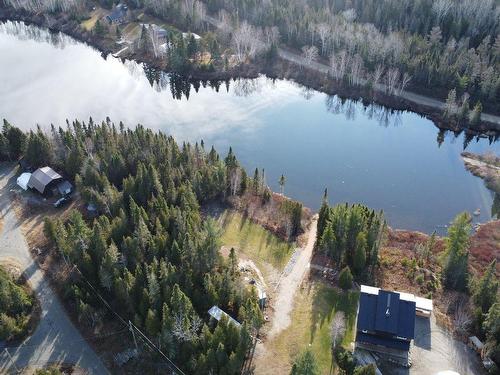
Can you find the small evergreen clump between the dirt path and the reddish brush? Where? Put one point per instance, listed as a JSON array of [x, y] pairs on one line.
[[351, 236]]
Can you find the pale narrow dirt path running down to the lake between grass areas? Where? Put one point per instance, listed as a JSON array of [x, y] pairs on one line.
[[289, 284]]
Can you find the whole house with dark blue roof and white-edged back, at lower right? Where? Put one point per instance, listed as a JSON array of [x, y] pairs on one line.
[[386, 323]]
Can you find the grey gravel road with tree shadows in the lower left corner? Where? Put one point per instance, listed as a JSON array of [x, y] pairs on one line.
[[55, 339]]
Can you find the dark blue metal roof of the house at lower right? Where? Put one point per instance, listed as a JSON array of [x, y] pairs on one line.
[[386, 314]]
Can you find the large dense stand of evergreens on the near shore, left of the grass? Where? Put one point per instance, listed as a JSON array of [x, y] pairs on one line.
[[149, 252]]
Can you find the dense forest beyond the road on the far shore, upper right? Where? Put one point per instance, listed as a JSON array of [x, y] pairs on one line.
[[445, 44]]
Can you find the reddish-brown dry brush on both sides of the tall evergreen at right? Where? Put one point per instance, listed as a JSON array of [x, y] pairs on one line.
[[401, 270]]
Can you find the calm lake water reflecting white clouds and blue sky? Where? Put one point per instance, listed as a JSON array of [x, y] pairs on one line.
[[390, 161]]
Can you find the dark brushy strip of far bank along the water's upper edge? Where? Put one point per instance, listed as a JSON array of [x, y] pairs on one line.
[[286, 66]]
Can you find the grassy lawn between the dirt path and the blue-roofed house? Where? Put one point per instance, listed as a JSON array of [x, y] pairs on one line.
[[315, 307]]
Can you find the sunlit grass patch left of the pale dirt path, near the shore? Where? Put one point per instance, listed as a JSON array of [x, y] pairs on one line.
[[253, 241]]
